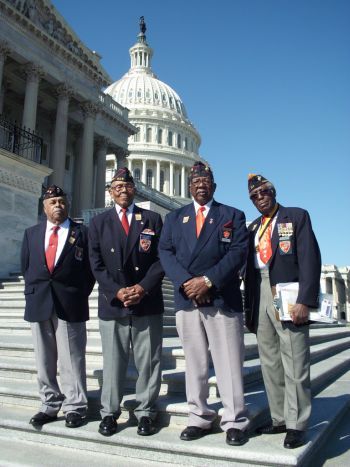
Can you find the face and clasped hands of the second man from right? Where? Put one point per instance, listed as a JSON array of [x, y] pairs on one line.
[[202, 189]]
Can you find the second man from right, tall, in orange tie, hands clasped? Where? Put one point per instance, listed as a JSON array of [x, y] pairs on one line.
[[202, 248]]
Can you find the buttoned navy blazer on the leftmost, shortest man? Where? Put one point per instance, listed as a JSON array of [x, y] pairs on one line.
[[67, 289]]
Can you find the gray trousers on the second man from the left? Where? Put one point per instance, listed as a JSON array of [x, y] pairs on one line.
[[144, 335]]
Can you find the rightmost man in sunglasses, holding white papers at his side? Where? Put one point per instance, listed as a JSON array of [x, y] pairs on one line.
[[282, 248]]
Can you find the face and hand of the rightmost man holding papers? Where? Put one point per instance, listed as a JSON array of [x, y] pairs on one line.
[[264, 199]]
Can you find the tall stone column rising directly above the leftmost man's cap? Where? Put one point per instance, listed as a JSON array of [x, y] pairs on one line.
[[58, 158]]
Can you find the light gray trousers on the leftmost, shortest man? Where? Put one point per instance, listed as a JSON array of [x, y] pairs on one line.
[[57, 340]]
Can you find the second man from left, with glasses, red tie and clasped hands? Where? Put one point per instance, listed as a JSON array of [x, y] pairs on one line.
[[124, 259]]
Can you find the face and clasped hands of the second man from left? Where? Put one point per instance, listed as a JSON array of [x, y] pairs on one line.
[[123, 194]]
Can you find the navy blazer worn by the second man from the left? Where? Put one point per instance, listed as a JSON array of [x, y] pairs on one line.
[[119, 261]]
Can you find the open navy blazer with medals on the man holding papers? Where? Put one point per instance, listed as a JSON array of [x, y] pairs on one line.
[[295, 258]]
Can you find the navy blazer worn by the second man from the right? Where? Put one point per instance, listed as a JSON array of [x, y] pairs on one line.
[[218, 253]]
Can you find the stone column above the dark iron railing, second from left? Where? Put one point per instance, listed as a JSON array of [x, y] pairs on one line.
[[34, 73]]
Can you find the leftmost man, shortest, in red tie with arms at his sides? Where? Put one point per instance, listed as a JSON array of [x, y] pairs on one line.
[[57, 287]]
